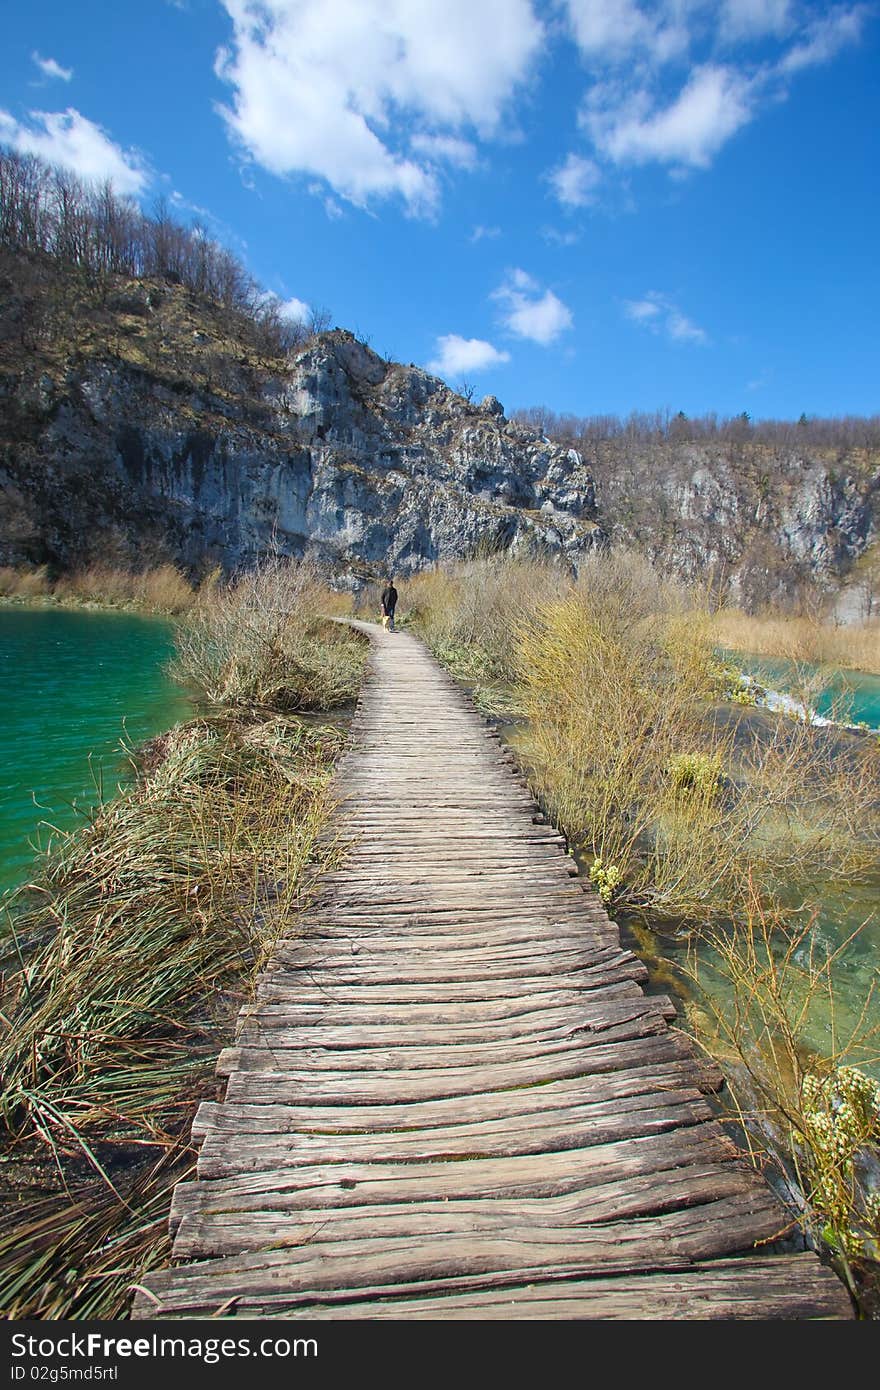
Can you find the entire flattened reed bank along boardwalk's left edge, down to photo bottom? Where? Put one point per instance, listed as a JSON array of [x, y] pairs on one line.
[[123, 967]]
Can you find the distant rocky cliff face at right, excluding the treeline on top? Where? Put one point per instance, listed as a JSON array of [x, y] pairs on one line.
[[765, 523]]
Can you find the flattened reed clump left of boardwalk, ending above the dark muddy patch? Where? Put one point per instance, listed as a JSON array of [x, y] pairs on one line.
[[145, 917]]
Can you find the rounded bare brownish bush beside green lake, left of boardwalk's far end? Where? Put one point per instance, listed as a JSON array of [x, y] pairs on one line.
[[263, 641]]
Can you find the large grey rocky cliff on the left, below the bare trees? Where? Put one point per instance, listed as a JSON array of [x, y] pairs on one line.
[[145, 452]]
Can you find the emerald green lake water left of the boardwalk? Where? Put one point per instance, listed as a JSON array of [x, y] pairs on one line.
[[74, 690]]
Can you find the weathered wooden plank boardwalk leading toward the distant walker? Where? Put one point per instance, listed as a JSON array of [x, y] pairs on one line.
[[453, 1097]]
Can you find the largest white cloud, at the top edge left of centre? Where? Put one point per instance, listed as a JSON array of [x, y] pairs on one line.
[[332, 88]]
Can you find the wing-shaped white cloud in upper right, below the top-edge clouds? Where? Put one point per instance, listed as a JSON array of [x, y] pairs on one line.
[[714, 105]]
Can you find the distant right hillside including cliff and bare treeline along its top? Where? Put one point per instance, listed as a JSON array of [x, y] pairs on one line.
[[764, 512]]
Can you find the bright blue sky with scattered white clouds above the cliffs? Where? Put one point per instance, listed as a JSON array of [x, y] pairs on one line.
[[592, 205]]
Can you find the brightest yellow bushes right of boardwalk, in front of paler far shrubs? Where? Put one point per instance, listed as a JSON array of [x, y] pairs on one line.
[[682, 806]]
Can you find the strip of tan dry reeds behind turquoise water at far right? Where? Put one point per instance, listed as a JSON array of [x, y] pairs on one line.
[[800, 640]]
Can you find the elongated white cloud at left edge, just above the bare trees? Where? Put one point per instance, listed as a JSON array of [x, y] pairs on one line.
[[74, 142]]
